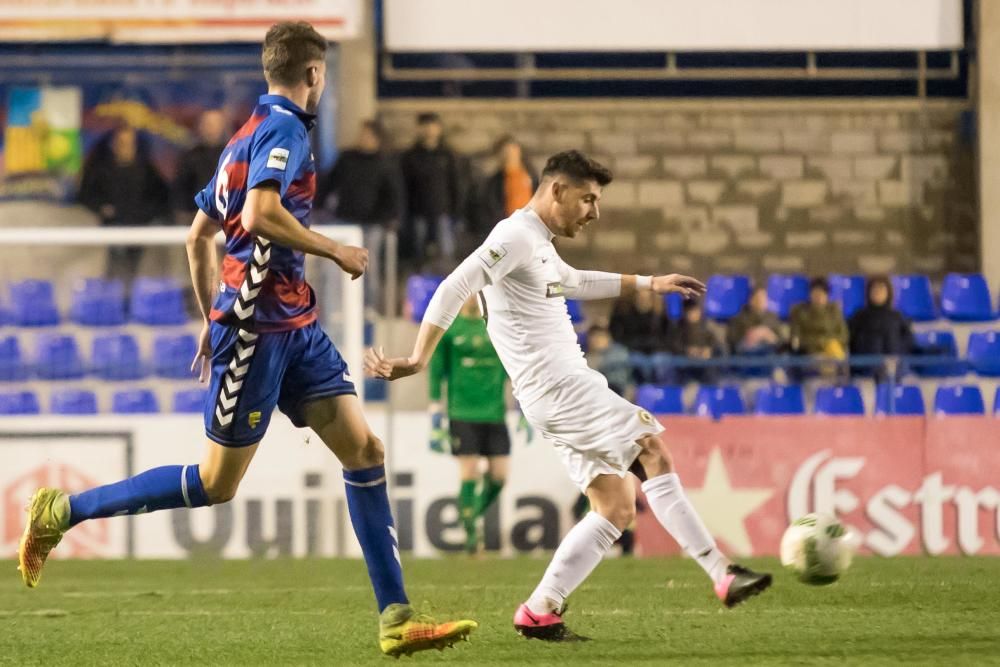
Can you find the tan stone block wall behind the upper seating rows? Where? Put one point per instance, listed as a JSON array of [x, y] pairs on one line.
[[749, 186]]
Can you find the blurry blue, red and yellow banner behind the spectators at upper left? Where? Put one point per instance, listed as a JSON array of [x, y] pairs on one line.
[[55, 120]]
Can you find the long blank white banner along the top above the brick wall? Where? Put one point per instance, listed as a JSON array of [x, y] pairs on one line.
[[673, 25]]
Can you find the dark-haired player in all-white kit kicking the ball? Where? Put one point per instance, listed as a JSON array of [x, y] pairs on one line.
[[600, 436]]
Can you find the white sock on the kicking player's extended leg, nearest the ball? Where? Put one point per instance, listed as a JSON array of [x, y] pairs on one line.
[[673, 510]]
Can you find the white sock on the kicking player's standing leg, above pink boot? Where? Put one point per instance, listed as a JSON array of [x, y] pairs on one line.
[[577, 556]]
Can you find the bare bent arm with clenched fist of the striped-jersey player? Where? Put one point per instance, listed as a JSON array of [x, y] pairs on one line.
[[264, 215]]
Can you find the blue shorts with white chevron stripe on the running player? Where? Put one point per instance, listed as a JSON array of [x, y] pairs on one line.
[[252, 373]]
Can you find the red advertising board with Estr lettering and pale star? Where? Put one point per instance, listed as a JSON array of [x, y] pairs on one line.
[[906, 485]]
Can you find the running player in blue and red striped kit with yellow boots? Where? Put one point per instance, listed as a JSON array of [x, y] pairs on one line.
[[261, 346]]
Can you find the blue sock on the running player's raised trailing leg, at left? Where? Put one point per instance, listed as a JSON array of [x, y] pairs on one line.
[[157, 489]]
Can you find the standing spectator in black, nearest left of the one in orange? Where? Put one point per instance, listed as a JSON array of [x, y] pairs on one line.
[[433, 192]]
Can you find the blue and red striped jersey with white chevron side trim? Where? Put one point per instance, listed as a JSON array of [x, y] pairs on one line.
[[263, 286]]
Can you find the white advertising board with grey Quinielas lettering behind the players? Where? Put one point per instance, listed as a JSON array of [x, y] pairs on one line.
[[291, 502]]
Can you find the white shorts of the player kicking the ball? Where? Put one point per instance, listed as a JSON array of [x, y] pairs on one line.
[[594, 429]]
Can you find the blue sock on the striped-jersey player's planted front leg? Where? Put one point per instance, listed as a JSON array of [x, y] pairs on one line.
[[368, 504]]
